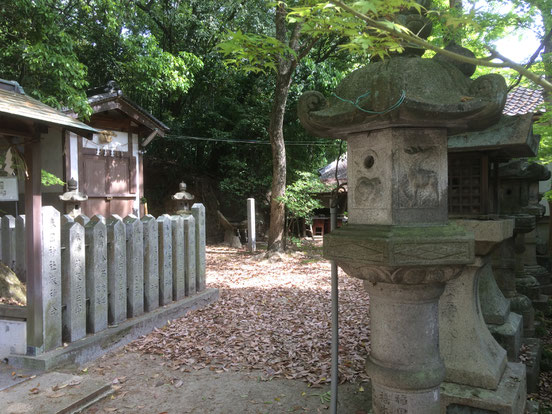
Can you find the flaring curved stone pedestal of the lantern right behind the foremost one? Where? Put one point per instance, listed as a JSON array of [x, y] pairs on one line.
[[472, 356]]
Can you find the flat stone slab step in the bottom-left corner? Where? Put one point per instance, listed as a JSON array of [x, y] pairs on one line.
[[53, 393]]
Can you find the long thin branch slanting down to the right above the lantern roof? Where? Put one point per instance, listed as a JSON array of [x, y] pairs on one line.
[[506, 63]]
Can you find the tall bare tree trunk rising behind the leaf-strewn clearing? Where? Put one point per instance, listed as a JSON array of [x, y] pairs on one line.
[[276, 134]]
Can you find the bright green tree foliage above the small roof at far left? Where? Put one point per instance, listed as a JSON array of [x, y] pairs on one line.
[[38, 50]]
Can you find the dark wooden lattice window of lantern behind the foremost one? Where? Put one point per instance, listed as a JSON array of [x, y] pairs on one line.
[[468, 184]]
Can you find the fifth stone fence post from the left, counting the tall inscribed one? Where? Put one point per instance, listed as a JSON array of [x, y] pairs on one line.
[[135, 265]]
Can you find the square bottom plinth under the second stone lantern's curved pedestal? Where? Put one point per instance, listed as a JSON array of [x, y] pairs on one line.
[[509, 398]]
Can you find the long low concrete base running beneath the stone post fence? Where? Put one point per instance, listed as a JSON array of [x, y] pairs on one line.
[[93, 346]]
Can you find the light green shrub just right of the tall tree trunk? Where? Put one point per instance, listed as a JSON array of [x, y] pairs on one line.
[[298, 197]]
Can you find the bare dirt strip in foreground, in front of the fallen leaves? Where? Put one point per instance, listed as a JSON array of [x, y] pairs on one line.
[[144, 386]]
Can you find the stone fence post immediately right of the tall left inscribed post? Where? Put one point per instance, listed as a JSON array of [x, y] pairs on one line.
[[73, 281]]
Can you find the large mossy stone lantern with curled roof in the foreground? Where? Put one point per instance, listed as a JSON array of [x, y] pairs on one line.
[[398, 239]]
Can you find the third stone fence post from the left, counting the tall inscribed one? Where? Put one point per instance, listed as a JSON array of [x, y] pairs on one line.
[[96, 273]]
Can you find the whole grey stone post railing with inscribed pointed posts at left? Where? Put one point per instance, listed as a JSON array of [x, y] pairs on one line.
[[98, 272]]
